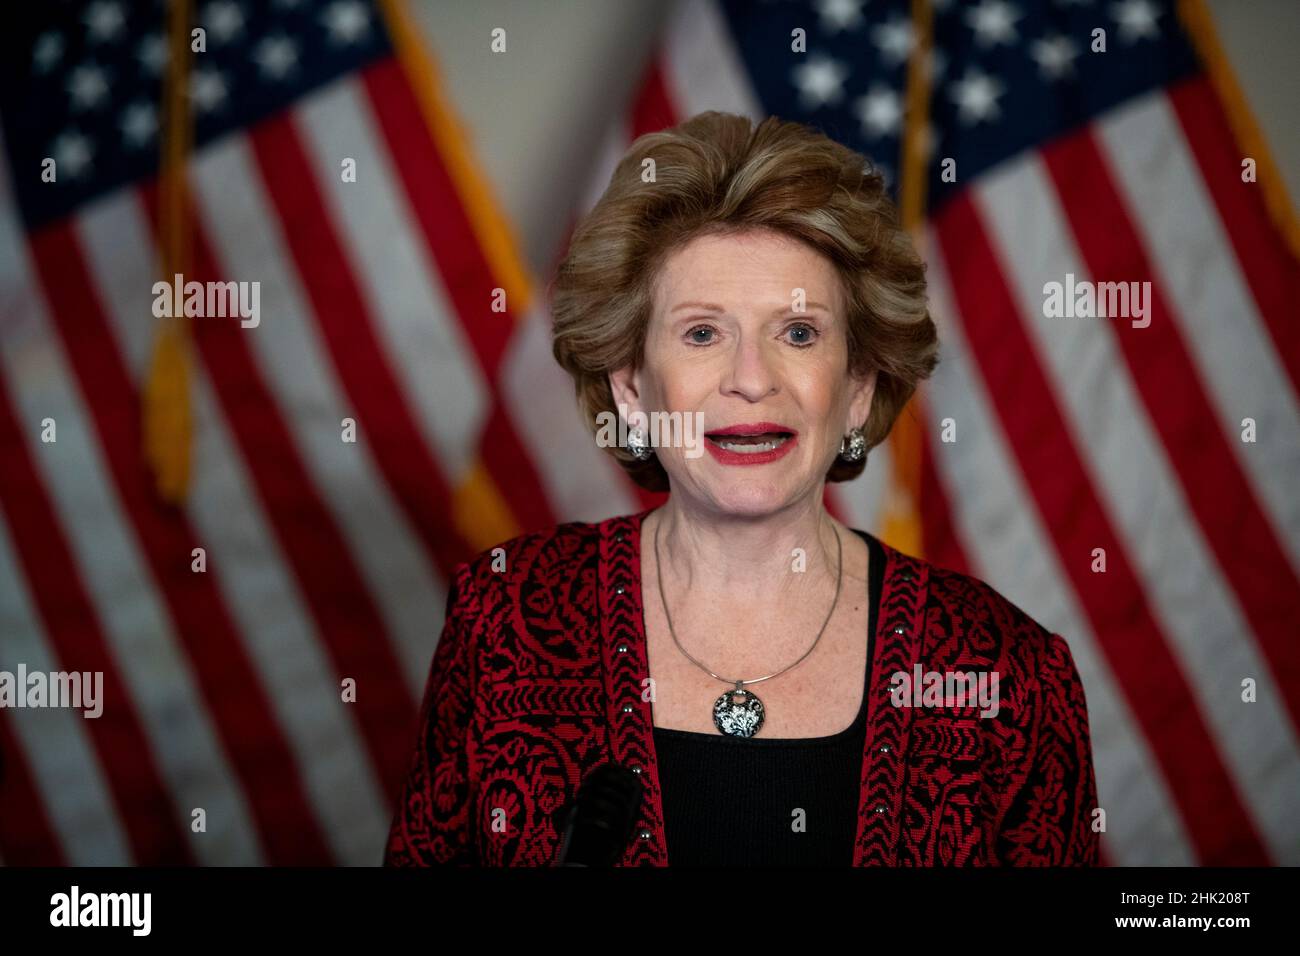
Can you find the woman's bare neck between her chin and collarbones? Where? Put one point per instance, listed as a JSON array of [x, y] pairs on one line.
[[744, 556]]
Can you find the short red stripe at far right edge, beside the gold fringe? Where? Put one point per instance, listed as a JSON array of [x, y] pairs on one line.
[[1262, 256]]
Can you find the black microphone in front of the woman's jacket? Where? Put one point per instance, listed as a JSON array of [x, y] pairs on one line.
[[600, 820]]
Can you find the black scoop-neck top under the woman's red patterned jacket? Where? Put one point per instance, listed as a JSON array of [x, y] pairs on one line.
[[730, 802]]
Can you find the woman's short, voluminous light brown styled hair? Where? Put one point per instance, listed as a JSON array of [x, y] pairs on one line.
[[720, 174]]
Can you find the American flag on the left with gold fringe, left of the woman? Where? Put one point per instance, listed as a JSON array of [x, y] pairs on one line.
[[327, 561]]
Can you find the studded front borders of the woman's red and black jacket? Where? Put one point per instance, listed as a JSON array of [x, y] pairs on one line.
[[631, 724]]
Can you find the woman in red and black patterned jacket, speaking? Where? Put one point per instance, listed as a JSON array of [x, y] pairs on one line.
[[786, 689]]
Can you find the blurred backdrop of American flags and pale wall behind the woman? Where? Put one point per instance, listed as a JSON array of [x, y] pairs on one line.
[[248, 526]]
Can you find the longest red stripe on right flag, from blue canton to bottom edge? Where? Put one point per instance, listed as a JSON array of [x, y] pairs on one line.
[[1116, 604]]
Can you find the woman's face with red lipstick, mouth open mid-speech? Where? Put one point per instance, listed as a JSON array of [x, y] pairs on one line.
[[749, 330]]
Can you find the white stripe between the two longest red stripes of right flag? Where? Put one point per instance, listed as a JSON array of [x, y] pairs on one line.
[[1130, 473]]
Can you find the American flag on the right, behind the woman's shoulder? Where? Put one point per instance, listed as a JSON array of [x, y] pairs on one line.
[[1051, 444]]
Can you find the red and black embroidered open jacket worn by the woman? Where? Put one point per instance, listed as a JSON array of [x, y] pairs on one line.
[[538, 681]]
